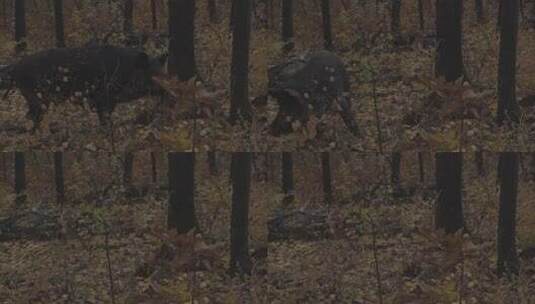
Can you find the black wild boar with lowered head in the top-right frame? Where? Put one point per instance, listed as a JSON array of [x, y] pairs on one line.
[[314, 83]]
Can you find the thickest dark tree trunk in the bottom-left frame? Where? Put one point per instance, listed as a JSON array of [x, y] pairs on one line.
[[181, 208]]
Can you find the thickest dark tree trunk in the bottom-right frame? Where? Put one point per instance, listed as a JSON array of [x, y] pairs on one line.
[[449, 210]]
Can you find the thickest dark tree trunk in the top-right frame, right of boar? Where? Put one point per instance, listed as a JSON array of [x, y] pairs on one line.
[[449, 61]]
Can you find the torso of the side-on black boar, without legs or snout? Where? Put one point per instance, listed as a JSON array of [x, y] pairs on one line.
[[91, 71]]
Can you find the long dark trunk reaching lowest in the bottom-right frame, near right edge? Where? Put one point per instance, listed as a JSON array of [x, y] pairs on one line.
[[508, 178]]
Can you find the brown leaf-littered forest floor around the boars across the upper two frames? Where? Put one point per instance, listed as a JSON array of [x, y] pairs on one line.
[[398, 103]]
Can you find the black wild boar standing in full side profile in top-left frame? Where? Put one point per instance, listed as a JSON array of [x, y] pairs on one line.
[[101, 76]]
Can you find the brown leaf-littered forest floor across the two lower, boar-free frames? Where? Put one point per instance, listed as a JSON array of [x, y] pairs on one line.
[[378, 244]]
